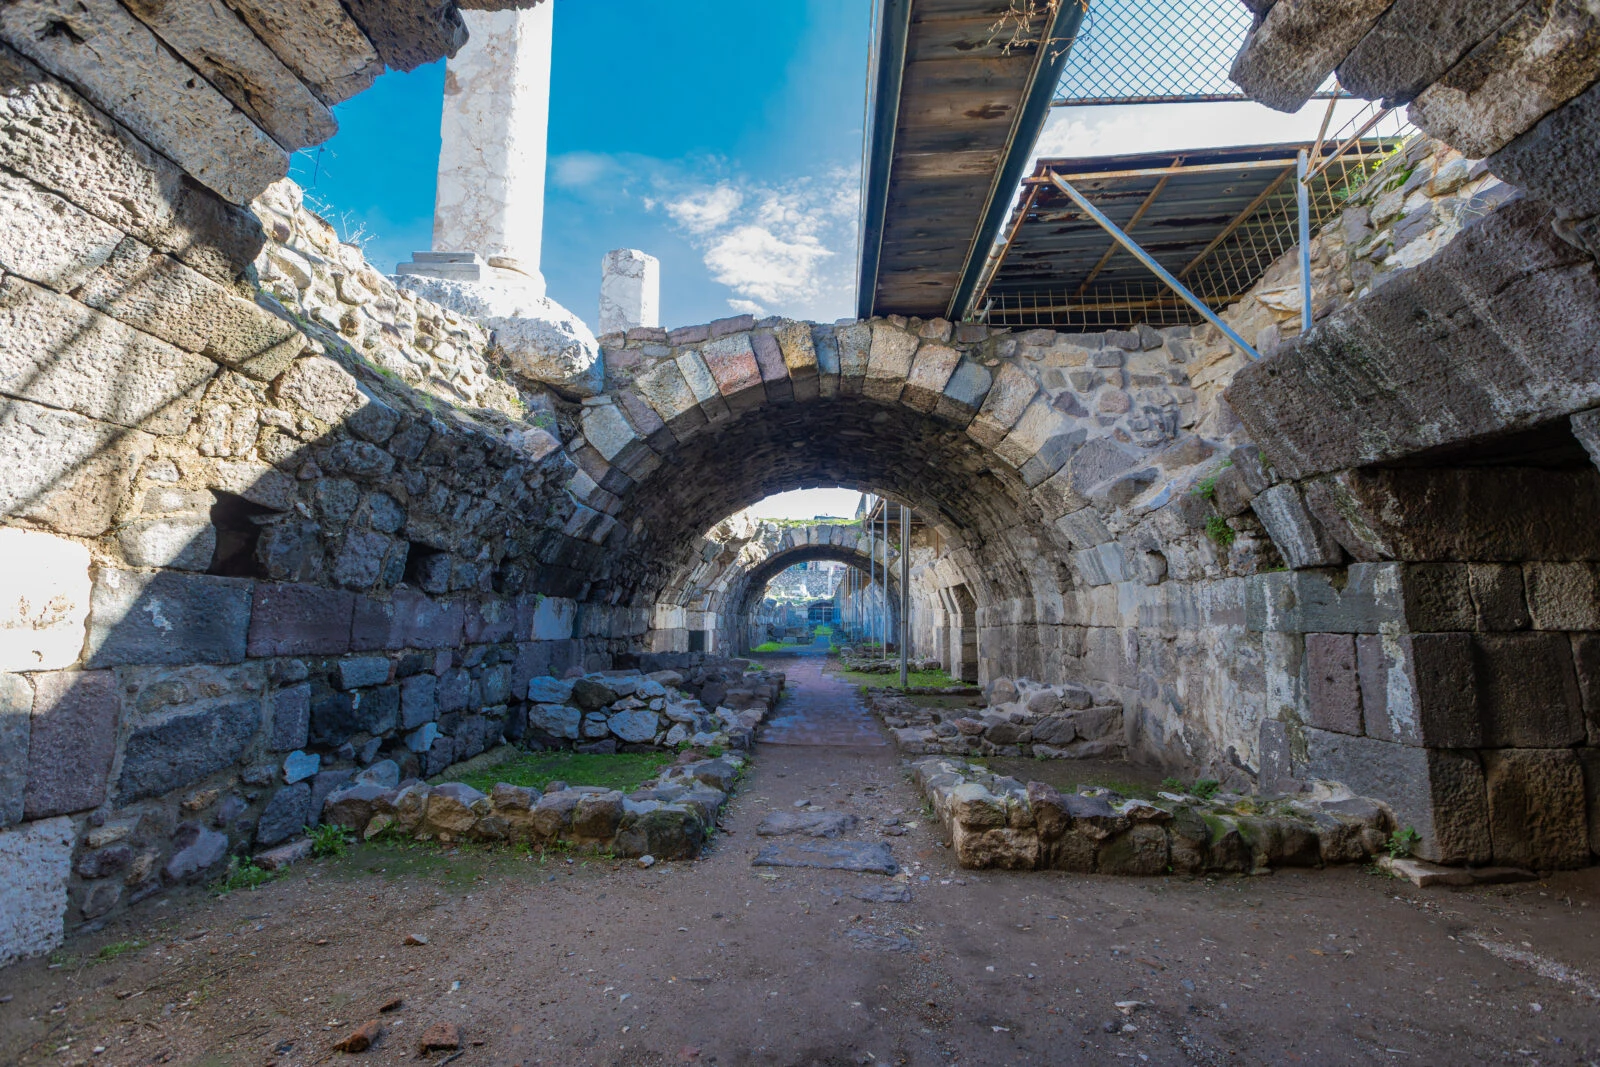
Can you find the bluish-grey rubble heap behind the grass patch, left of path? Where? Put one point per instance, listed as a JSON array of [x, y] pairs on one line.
[[628, 709]]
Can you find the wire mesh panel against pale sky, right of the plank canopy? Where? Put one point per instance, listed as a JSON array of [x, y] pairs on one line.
[[1146, 52]]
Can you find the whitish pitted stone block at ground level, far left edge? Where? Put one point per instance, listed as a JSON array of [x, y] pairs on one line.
[[36, 861]]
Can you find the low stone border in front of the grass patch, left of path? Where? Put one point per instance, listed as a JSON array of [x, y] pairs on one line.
[[668, 818]]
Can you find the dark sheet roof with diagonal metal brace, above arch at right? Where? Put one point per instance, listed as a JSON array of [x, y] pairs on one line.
[[1198, 214]]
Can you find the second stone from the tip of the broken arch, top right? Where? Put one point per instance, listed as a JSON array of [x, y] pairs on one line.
[[1415, 44]]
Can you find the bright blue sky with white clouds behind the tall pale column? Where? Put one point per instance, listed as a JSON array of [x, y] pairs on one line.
[[726, 145]]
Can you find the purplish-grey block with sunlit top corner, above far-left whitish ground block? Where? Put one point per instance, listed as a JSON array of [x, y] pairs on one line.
[[73, 740]]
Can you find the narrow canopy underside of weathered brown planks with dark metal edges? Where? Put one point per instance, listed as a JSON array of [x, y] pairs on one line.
[[958, 100]]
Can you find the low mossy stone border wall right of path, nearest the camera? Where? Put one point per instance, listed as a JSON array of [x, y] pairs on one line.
[[998, 821]]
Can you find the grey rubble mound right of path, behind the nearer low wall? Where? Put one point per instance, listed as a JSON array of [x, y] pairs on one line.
[[1023, 719]]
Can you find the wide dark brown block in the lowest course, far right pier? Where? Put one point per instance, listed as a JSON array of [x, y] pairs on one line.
[[1538, 810]]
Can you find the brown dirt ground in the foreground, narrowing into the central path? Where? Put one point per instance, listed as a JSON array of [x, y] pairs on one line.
[[572, 961]]
